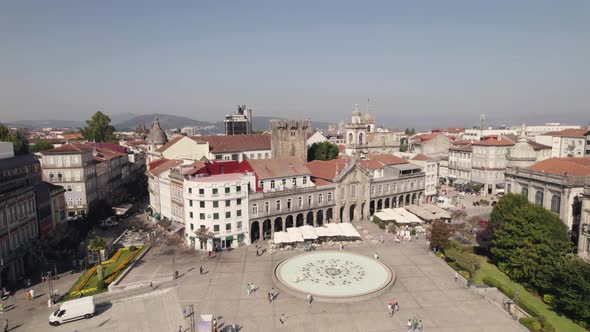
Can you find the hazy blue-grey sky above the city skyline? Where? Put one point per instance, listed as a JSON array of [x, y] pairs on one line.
[[422, 63]]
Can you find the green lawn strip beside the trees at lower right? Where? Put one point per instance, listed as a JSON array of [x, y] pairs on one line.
[[560, 323]]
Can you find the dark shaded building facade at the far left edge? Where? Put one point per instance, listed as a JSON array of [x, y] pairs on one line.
[[19, 228]]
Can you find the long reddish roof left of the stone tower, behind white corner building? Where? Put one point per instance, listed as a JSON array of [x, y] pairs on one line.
[[236, 143]]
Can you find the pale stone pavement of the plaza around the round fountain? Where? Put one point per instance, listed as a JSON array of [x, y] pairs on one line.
[[424, 288]]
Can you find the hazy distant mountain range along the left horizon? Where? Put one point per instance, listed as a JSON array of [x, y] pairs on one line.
[[130, 121]]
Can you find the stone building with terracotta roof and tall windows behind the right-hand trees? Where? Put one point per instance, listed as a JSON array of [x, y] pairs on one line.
[[556, 184]]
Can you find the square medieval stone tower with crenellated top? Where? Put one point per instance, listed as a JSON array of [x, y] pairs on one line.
[[289, 138]]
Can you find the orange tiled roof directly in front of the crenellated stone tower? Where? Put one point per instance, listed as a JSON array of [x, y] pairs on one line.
[[279, 167]]
